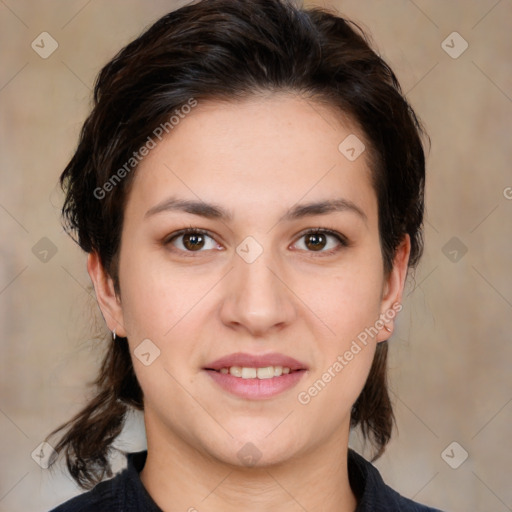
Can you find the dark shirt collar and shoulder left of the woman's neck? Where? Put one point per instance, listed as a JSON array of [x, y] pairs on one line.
[[123, 493]]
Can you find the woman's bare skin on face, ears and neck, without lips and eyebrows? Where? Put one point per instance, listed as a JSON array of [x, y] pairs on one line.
[[256, 158]]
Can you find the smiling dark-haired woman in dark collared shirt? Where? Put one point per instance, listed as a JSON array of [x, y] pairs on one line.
[[249, 190]]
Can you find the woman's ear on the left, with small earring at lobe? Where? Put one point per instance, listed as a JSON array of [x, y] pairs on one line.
[[109, 302]]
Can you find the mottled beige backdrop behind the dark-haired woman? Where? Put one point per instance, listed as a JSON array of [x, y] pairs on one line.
[[451, 356]]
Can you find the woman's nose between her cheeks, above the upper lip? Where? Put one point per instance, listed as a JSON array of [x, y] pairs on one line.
[[257, 297]]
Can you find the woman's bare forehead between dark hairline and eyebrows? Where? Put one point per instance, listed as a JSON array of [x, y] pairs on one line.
[[275, 150]]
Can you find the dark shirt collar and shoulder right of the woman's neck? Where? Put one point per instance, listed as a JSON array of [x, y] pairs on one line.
[[373, 493]]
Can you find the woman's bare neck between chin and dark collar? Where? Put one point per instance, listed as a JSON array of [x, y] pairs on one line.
[[180, 477]]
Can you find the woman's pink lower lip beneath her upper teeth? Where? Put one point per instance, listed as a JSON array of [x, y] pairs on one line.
[[256, 389]]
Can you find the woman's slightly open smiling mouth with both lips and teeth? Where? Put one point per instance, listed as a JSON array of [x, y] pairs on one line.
[[254, 377]]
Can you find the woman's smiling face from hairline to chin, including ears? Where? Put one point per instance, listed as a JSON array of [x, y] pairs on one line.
[[281, 266]]
